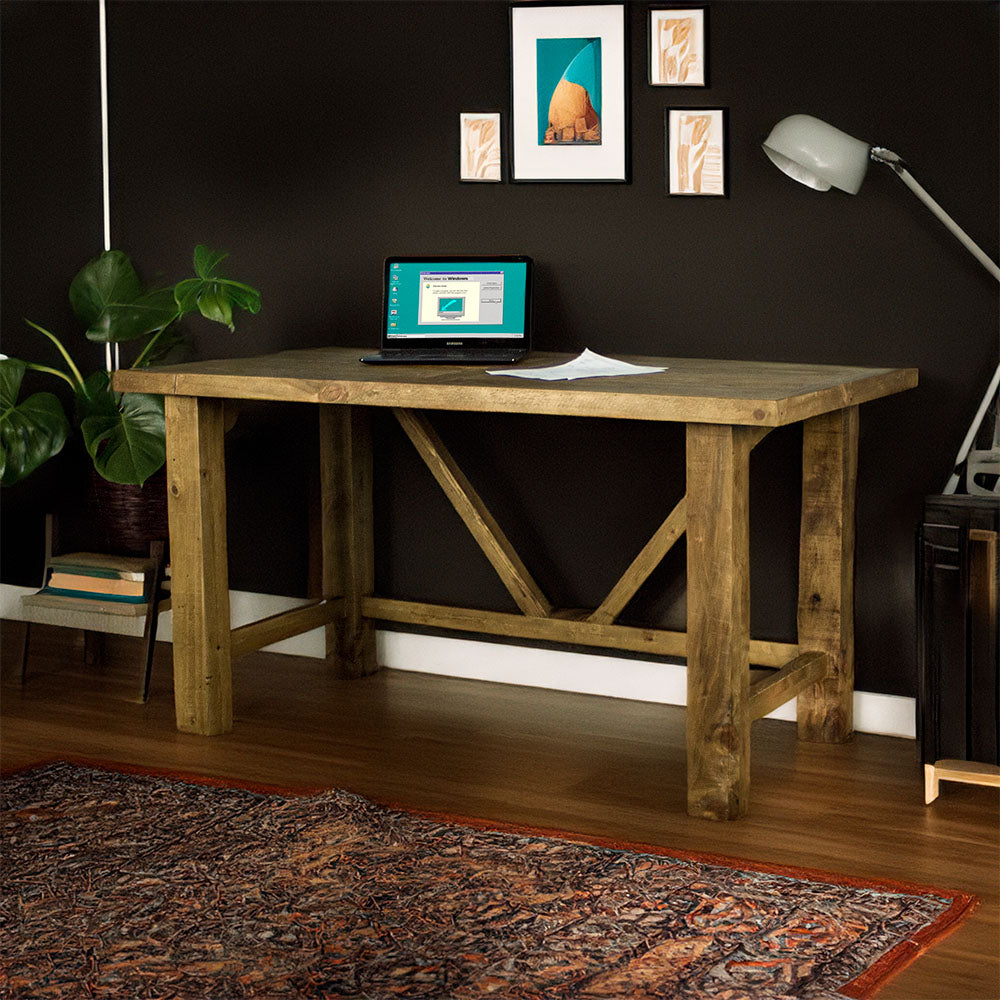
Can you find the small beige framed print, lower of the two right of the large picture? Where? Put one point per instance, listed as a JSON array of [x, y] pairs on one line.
[[695, 151]]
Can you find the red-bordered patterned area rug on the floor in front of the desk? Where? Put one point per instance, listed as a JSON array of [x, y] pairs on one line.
[[124, 886]]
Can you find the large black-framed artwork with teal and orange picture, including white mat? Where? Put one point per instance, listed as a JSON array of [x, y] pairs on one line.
[[569, 101]]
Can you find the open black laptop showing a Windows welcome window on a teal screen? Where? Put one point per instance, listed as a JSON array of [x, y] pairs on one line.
[[455, 310]]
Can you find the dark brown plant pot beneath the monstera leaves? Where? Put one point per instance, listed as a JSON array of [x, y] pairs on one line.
[[127, 517]]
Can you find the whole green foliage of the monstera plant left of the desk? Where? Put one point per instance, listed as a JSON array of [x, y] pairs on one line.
[[123, 432]]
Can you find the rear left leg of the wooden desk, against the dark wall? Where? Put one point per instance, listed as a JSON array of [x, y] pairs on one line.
[[348, 557]]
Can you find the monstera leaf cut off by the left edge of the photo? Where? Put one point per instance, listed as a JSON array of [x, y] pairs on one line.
[[32, 431]]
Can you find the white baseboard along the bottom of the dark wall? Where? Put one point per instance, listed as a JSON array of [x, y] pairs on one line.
[[583, 673]]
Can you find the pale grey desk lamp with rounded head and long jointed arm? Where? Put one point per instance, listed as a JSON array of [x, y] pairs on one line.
[[820, 156]]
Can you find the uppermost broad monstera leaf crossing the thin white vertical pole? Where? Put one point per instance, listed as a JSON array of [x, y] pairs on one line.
[[108, 298]]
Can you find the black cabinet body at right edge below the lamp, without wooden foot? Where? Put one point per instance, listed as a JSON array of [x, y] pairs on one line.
[[958, 577]]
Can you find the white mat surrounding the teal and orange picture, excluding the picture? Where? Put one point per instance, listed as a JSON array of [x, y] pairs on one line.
[[575, 162]]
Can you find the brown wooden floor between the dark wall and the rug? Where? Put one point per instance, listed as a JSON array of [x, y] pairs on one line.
[[570, 762]]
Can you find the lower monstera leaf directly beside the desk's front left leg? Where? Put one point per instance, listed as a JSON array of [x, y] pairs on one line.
[[123, 432]]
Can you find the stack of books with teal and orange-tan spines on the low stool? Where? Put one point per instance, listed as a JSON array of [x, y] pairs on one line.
[[88, 581]]
